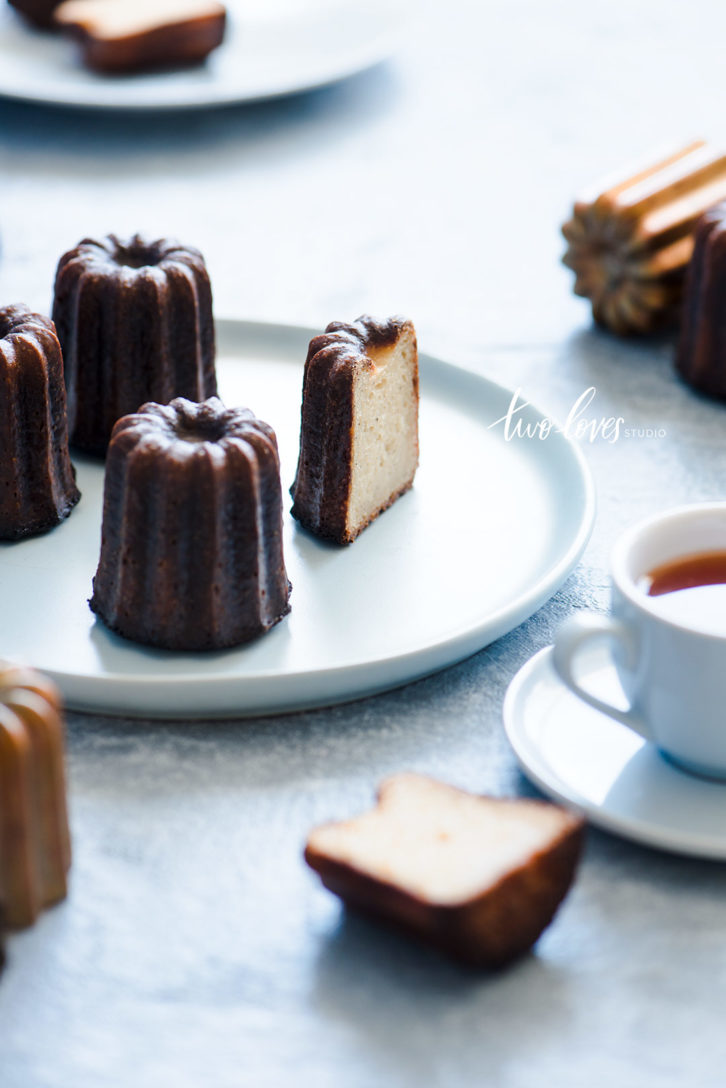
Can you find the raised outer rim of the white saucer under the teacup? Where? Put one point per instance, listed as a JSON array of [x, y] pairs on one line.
[[539, 772]]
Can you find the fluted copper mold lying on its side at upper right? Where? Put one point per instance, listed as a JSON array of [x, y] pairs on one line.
[[631, 238]]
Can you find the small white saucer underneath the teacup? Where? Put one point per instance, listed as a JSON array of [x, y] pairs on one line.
[[584, 759]]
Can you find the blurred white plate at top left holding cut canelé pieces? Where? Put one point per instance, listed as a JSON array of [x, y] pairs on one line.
[[273, 48]]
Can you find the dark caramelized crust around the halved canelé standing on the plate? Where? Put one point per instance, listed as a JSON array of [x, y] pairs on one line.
[[337, 362]]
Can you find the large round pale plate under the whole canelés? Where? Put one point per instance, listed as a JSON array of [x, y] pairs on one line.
[[488, 534]]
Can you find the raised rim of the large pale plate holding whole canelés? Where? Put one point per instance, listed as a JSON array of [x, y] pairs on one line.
[[348, 683]]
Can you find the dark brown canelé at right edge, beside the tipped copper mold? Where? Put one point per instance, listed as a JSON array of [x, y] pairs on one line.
[[702, 356]]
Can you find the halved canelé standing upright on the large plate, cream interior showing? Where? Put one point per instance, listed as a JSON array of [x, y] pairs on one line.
[[360, 426]]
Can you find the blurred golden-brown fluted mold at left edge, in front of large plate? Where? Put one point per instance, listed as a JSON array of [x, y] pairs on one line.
[[35, 845]]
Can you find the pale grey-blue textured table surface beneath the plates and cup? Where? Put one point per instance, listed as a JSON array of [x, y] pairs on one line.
[[195, 948]]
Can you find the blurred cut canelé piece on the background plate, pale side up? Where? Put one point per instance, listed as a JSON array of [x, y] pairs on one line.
[[130, 35]]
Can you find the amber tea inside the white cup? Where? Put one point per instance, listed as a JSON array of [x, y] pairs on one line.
[[692, 590]]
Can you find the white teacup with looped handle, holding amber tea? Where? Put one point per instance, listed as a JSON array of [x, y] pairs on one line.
[[673, 673]]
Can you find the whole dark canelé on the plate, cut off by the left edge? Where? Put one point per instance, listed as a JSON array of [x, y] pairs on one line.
[[38, 483]]
